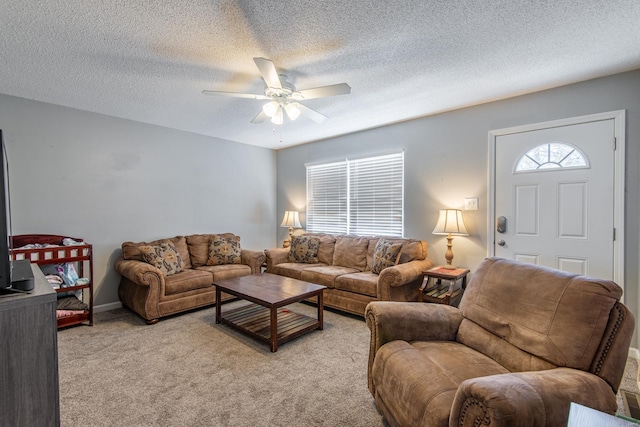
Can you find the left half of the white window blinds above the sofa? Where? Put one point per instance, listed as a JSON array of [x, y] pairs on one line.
[[327, 198]]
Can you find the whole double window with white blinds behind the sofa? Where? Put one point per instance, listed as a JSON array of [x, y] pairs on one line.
[[361, 196]]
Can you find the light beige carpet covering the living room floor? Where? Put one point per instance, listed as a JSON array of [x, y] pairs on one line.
[[188, 371]]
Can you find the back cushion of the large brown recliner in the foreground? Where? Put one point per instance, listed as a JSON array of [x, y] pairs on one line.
[[555, 316]]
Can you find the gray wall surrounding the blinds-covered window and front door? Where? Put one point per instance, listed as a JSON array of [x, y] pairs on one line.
[[446, 160]]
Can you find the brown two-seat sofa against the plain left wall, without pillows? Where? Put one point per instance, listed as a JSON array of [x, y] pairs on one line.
[[152, 294]]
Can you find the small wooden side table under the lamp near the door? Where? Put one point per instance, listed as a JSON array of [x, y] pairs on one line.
[[440, 285]]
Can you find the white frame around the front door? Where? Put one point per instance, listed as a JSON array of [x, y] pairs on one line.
[[618, 117]]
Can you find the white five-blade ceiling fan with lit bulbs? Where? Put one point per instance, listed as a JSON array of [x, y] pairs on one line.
[[283, 96]]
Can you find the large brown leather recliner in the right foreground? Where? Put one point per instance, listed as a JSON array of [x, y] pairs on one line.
[[525, 343]]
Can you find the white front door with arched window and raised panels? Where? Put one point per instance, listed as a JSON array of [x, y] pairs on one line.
[[554, 197]]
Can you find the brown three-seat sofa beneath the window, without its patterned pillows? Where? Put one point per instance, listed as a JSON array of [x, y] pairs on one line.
[[344, 267]]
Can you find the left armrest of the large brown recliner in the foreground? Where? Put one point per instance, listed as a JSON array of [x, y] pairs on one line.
[[408, 321]]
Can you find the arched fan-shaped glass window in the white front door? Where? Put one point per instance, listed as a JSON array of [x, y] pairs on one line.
[[552, 155]]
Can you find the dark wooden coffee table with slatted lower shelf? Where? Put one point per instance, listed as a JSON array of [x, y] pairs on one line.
[[265, 319]]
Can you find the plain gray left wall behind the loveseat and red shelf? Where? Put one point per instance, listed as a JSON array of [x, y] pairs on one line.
[[109, 180]]
